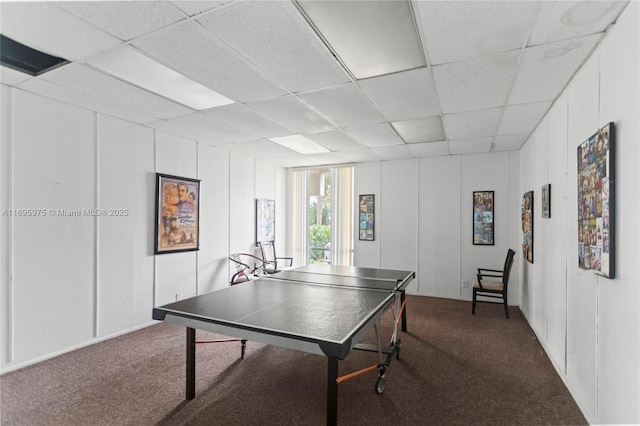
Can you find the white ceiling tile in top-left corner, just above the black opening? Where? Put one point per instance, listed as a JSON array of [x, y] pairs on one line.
[[43, 26]]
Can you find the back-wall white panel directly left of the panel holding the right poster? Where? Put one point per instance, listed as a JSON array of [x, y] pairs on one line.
[[439, 227]]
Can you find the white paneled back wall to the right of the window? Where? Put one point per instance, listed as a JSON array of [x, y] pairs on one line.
[[424, 219]]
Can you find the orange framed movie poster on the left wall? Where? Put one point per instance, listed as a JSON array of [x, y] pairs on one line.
[[177, 214]]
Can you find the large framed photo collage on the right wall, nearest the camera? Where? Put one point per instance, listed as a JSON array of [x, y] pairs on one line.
[[596, 202]]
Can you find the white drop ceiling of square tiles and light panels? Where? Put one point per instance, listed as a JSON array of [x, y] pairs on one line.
[[359, 80]]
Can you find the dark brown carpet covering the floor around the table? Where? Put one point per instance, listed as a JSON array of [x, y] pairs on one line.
[[455, 368]]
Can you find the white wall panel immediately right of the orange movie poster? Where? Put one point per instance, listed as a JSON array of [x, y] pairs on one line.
[[213, 256]]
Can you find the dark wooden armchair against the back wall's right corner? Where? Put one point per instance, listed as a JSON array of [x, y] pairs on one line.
[[493, 283]]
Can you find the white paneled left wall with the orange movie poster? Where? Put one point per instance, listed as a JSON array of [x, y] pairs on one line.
[[71, 281]]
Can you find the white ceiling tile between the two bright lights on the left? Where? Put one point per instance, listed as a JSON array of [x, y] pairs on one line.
[[246, 119]]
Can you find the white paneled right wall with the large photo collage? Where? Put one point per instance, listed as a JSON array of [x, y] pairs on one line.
[[589, 325]]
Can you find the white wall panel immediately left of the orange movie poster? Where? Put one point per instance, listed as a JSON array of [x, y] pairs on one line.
[[125, 242]]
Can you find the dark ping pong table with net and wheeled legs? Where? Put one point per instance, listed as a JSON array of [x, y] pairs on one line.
[[319, 309]]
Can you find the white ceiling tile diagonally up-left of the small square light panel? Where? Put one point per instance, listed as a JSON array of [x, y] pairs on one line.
[[344, 105]]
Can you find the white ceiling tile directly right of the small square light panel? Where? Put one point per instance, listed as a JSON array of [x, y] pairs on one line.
[[472, 124]]
